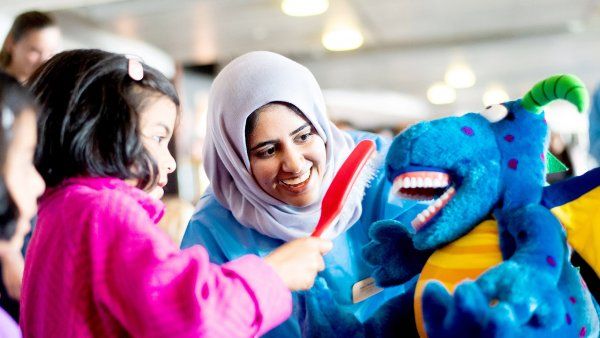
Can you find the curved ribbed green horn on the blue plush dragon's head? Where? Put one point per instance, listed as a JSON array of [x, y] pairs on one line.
[[566, 86]]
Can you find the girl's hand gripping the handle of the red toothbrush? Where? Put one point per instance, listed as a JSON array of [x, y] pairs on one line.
[[298, 262]]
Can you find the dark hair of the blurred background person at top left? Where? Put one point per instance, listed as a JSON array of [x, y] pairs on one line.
[[23, 24]]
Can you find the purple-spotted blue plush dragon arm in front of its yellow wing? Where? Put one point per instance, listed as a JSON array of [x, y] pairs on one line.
[[535, 251]]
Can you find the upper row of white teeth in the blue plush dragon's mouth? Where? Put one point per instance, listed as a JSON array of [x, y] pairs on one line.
[[421, 185]]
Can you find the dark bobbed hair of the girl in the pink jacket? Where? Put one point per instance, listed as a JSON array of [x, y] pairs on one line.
[[89, 119]]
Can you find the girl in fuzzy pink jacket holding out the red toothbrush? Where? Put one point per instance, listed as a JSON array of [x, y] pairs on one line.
[[97, 265]]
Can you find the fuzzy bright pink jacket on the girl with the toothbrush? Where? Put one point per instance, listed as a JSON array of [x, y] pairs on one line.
[[98, 266]]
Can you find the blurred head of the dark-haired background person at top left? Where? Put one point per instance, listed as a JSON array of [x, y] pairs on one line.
[[32, 39]]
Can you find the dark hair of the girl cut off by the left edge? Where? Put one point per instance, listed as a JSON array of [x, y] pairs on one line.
[[14, 99]]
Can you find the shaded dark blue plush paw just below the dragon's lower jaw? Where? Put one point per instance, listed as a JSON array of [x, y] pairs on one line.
[[392, 253]]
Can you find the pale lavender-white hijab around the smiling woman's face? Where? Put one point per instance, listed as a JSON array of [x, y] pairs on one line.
[[244, 85]]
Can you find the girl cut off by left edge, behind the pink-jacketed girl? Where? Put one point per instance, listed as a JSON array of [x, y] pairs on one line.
[[20, 184]]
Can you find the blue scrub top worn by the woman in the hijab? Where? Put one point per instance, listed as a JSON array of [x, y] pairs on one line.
[[225, 239]]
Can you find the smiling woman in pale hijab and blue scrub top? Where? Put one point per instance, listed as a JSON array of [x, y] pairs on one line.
[[270, 155]]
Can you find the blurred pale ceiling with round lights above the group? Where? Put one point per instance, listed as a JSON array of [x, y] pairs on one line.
[[408, 43]]
